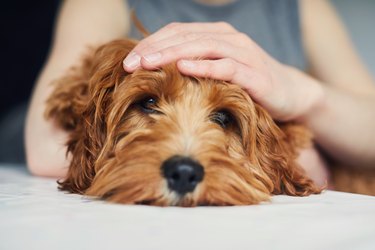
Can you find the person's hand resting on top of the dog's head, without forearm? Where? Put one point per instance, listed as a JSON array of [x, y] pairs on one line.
[[226, 54]]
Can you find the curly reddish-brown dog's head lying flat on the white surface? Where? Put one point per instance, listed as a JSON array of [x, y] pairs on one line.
[[161, 138]]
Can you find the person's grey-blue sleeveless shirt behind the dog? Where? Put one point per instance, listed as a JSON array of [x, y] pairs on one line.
[[273, 24]]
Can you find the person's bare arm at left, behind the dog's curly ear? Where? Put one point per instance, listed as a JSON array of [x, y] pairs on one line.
[[80, 23]]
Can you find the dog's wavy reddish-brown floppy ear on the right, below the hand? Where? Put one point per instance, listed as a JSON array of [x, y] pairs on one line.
[[276, 150]]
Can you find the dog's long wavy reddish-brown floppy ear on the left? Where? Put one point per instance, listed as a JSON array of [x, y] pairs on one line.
[[79, 104]]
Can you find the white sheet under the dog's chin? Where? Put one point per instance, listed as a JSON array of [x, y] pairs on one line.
[[34, 215]]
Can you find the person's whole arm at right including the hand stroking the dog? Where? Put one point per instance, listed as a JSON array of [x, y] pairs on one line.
[[335, 108]]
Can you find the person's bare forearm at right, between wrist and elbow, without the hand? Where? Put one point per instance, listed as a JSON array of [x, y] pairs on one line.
[[343, 124]]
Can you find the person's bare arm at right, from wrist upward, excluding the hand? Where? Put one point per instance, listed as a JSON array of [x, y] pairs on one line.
[[344, 121]]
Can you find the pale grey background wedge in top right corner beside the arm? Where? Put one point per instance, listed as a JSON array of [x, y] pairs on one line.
[[359, 18]]
